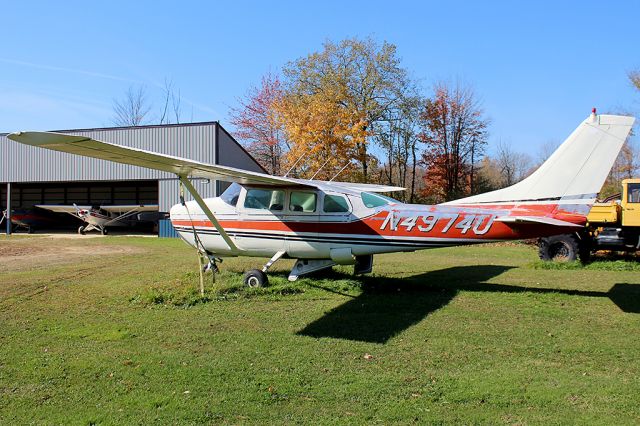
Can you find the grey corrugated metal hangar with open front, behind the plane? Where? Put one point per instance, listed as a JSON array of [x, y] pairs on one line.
[[31, 176]]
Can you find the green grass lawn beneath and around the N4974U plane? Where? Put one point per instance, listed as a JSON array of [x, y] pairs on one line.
[[461, 335]]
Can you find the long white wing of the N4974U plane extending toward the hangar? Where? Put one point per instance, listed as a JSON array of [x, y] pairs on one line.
[[88, 147]]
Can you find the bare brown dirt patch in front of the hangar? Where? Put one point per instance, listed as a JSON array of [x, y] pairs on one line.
[[37, 253]]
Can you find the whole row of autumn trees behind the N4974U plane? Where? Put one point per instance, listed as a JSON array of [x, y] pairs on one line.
[[350, 111]]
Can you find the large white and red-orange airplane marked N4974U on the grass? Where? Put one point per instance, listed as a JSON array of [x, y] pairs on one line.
[[322, 224]]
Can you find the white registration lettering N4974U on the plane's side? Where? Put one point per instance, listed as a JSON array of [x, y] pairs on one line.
[[479, 224]]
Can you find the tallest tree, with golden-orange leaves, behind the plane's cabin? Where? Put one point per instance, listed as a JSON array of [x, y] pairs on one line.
[[358, 82]]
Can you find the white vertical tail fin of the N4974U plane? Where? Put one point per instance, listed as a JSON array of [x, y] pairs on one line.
[[576, 170]]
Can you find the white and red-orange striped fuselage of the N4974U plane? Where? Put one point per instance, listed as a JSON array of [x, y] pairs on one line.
[[363, 227]]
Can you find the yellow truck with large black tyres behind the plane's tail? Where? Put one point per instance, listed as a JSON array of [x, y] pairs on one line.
[[613, 224]]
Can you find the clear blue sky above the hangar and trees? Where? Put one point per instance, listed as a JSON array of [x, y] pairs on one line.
[[539, 67]]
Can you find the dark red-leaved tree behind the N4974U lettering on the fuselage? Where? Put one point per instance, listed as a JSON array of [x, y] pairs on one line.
[[454, 131]]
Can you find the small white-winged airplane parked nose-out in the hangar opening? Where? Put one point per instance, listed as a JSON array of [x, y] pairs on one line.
[[99, 218]]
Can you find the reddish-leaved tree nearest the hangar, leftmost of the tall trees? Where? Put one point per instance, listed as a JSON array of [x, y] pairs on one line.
[[258, 125]]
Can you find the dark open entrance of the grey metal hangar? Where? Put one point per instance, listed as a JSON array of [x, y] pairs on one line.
[[26, 195]]
